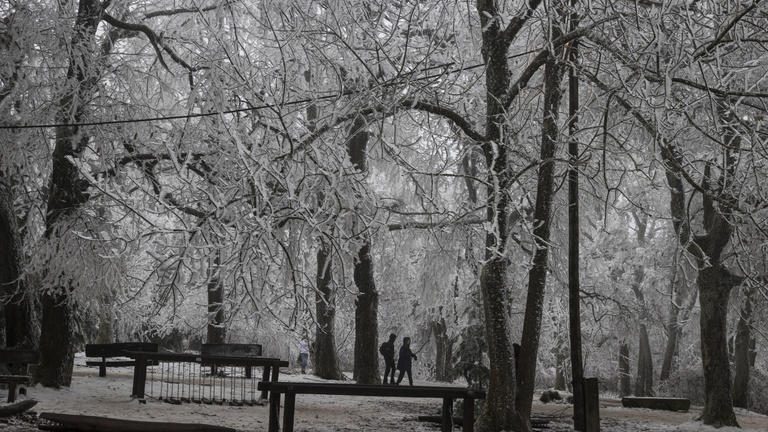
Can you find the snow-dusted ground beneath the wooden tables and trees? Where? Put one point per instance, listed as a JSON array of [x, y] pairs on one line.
[[109, 397]]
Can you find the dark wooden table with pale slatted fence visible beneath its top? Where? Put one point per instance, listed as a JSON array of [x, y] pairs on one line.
[[270, 365]]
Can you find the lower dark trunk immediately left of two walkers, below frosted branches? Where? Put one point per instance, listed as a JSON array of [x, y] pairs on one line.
[[366, 369]]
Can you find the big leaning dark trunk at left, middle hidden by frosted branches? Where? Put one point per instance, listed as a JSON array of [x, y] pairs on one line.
[[66, 194]]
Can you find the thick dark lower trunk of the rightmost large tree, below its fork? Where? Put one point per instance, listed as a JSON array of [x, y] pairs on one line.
[[713, 297]]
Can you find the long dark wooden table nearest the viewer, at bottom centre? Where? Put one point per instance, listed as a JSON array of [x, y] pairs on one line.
[[447, 394]]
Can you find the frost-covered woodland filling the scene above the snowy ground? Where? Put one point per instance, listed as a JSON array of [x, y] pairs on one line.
[[241, 171]]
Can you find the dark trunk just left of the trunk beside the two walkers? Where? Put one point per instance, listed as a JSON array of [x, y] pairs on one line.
[[326, 358]]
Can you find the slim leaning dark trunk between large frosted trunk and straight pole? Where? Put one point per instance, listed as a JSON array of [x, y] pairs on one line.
[[537, 276]]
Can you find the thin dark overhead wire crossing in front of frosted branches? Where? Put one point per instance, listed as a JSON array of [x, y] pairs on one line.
[[398, 80]]
